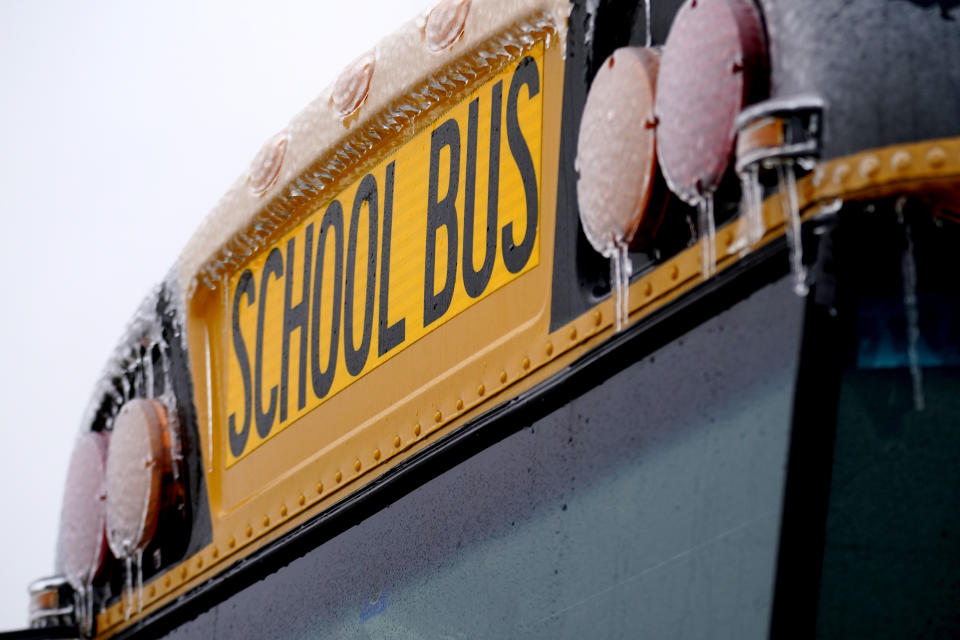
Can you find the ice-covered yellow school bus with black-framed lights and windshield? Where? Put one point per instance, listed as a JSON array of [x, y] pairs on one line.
[[550, 319]]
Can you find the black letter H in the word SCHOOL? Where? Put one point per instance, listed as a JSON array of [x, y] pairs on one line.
[[295, 317]]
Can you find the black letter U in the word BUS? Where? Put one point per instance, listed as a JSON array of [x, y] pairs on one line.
[[475, 281]]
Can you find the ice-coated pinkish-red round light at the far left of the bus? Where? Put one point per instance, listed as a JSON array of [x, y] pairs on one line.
[[81, 540]]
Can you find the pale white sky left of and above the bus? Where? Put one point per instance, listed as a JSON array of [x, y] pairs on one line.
[[121, 124]]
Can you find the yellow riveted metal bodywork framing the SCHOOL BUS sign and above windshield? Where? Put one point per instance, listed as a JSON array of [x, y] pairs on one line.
[[486, 352]]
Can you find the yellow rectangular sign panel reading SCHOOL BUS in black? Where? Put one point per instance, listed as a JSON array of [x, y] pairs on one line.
[[446, 220]]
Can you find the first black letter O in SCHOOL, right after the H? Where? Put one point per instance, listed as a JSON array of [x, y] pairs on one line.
[[332, 219]]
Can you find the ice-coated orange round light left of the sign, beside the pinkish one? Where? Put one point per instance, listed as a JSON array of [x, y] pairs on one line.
[[135, 465]]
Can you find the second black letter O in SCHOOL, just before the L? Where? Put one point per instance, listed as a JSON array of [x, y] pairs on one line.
[[356, 357]]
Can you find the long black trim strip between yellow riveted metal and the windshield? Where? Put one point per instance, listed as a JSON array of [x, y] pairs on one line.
[[758, 269]]
